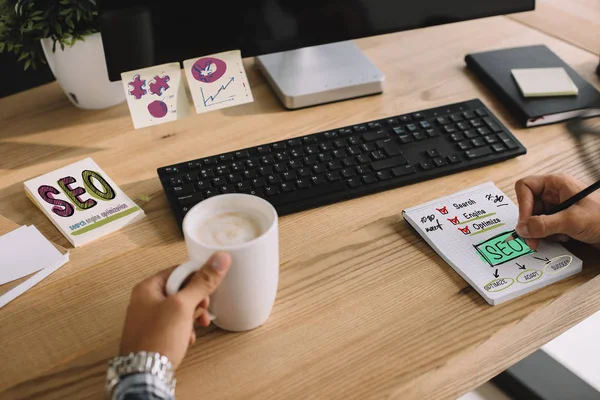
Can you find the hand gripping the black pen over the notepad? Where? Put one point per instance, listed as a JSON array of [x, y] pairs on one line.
[[538, 195]]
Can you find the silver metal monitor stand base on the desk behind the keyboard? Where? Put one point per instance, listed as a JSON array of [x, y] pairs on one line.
[[320, 74]]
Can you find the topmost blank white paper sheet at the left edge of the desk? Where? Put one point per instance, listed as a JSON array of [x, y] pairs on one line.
[[25, 251]]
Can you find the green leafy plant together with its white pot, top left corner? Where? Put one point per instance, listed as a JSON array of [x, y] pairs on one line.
[[70, 42]]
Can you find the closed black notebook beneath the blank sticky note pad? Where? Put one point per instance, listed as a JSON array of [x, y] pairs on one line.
[[493, 68]]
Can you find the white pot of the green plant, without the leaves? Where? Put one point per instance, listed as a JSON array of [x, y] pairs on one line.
[[81, 72]]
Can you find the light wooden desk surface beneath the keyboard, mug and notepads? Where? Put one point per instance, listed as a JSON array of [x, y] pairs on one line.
[[365, 308]]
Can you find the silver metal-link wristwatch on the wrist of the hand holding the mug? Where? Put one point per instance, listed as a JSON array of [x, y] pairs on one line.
[[142, 362]]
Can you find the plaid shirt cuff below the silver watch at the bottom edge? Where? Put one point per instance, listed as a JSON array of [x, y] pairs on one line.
[[142, 387]]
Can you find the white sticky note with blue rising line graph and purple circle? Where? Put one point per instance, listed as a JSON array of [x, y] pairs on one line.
[[218, 81]]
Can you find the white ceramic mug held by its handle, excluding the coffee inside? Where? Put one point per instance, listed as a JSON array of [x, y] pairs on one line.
[[245, 297]]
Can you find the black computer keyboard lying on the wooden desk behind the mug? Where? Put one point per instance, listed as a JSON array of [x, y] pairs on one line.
[[344, 163]]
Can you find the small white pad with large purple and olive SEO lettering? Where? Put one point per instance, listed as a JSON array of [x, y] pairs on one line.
[[82, 201]]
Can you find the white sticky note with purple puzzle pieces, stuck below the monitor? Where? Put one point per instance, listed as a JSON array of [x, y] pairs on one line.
[[155, 95]]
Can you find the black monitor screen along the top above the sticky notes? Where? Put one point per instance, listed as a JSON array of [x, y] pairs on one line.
[[138, 34]]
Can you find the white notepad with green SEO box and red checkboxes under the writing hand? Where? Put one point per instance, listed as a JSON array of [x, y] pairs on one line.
[[467, 229]]
